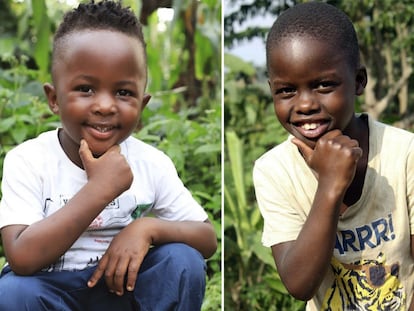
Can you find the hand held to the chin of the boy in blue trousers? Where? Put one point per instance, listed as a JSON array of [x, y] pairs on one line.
[[110, 171]]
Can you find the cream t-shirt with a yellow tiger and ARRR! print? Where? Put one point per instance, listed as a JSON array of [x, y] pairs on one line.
[[371, 263]]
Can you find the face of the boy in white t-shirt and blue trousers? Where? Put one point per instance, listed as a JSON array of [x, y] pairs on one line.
[[98, 91]]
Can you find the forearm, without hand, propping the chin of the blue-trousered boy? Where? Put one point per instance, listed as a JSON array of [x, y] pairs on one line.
[[42, 243]]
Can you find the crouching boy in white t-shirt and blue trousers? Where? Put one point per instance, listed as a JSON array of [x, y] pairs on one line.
[[72, 215]]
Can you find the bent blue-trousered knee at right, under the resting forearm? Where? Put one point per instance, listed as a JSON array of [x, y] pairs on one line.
[[172, 277]]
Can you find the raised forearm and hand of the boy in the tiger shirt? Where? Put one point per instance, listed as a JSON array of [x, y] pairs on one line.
[[303, 263]]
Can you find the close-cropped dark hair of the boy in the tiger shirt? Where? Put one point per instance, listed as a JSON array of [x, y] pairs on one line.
[[316, 20]]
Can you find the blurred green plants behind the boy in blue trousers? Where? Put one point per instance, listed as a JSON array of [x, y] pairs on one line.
[[183, 117]]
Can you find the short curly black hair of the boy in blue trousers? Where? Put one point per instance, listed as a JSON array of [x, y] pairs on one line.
[[104, 15]]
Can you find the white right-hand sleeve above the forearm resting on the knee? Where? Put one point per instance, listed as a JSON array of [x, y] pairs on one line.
[[173, 200]]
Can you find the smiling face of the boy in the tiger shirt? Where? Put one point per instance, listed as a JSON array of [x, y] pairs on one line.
[[313, 87]]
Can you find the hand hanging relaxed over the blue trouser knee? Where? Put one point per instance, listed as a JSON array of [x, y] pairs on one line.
[[122, 259]]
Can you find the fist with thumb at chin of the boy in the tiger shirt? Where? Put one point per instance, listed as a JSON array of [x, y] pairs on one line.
[[334, 158]]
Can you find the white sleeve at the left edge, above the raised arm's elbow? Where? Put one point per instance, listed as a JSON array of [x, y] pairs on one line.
[[21, 201]]
